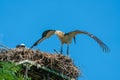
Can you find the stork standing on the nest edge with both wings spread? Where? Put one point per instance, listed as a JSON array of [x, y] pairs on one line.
[[66, 38]]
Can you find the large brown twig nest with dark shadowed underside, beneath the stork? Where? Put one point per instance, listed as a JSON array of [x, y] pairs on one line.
[[56, 62]]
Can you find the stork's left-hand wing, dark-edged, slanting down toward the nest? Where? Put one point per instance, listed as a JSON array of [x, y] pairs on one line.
[[46, 34]]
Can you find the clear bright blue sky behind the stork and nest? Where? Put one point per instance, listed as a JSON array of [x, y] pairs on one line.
[[23, 21]]
